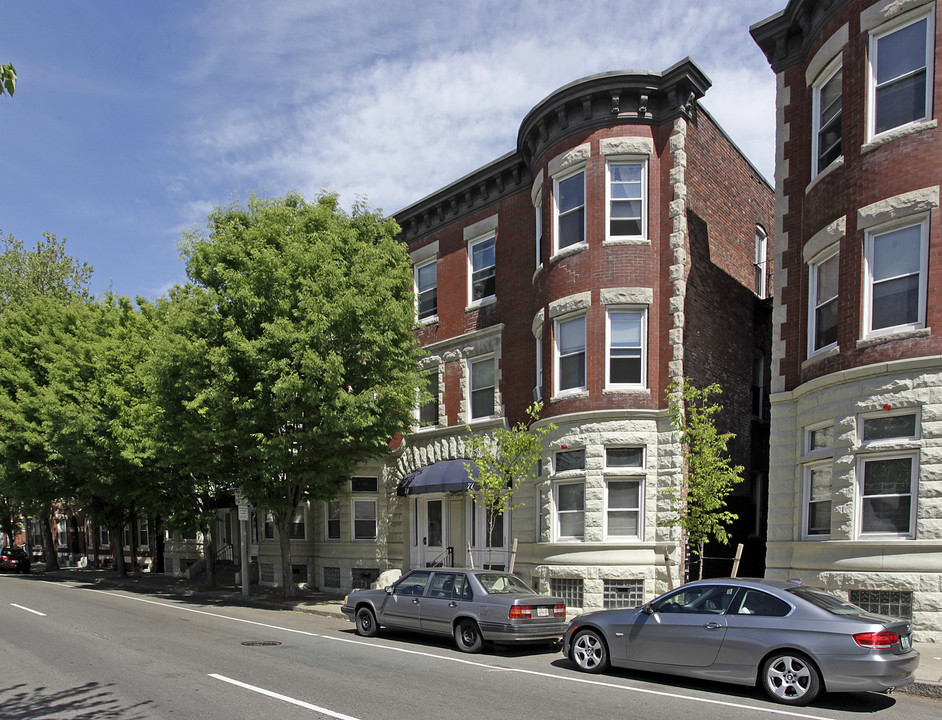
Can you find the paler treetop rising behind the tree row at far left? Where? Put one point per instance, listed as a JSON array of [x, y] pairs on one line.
[[46, 271]]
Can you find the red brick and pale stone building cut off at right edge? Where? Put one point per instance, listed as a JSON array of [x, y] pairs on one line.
[[856, 470]]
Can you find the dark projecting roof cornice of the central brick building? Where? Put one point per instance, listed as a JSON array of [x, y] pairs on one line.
[[627, 97]]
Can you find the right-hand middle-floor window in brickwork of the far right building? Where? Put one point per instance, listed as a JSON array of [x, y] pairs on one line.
[[895, 289]]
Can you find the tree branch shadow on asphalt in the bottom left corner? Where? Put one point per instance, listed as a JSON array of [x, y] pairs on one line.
[[86, 702]]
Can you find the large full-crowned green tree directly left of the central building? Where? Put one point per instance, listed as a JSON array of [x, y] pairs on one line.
[[313, 366]]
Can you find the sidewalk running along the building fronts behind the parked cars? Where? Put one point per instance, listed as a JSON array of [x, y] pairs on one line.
[[928, 674]]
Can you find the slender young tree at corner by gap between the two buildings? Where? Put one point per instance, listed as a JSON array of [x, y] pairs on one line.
[[699, 502]]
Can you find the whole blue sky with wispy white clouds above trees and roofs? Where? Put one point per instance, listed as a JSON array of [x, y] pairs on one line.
[[132, 119]]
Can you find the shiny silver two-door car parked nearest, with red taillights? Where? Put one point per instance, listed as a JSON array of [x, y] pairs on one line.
[[792, 640]]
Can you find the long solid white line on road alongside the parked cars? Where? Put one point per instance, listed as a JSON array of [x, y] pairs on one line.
[[484, 666]]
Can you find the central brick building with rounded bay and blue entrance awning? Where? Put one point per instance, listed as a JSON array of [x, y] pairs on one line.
[[623, 243]]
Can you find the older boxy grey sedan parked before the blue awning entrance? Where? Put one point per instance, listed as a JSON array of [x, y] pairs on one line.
[[473, 606]]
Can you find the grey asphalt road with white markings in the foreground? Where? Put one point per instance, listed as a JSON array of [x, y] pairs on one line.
[[79, 651]]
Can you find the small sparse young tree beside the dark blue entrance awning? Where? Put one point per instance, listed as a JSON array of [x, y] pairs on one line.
[[503, 459]]
